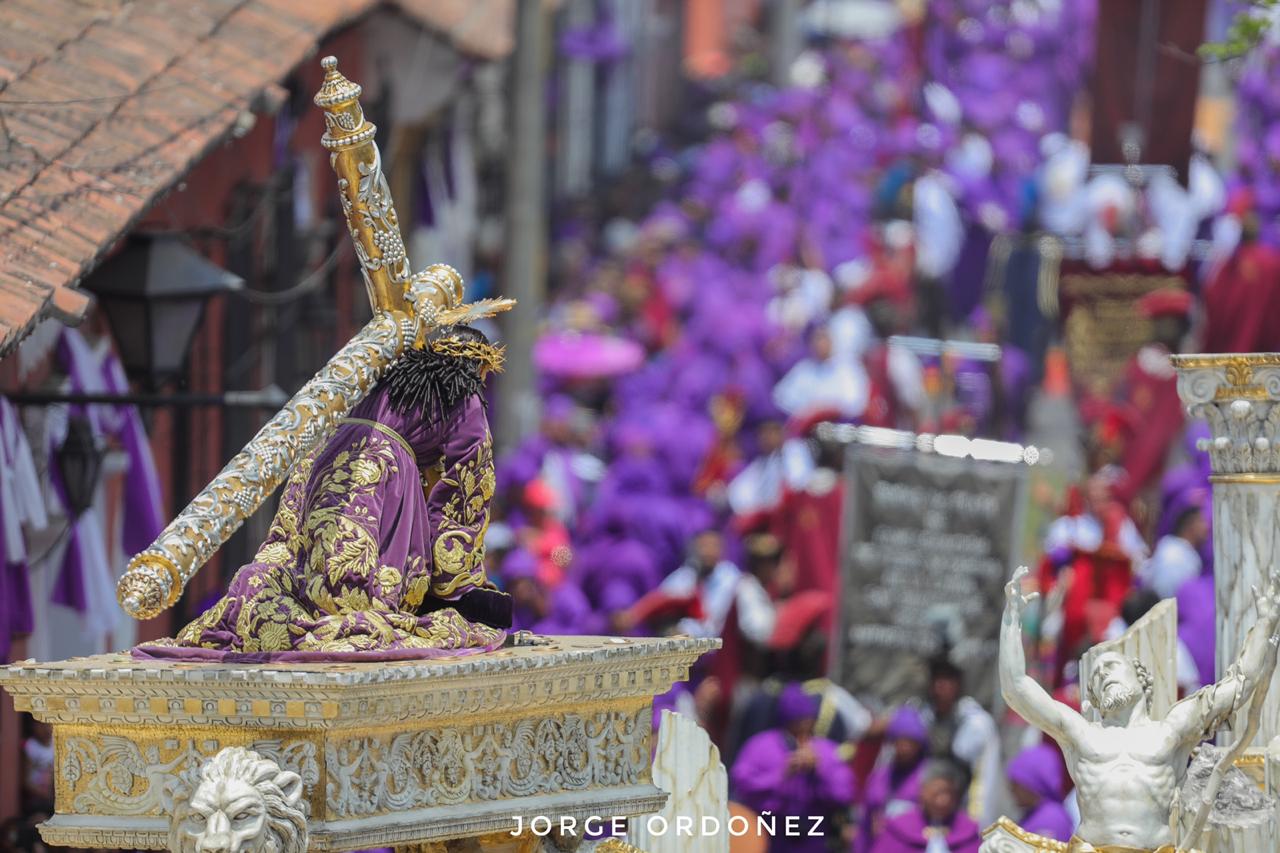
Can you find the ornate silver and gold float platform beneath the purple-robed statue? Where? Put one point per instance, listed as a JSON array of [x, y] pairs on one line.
[[390, 754]]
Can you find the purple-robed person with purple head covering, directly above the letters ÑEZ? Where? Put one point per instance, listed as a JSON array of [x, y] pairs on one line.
[[788, 772]]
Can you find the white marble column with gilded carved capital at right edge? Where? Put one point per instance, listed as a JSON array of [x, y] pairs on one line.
[[1238, 395]]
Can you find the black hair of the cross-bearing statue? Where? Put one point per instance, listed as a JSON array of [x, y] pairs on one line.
[[433, 384]]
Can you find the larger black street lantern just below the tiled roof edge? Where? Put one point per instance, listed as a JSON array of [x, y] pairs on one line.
[[154, 294]]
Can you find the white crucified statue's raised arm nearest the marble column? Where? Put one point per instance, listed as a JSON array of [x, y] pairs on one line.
[[1209, 708]]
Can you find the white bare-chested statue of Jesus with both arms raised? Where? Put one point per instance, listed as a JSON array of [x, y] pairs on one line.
[[1128, 767]]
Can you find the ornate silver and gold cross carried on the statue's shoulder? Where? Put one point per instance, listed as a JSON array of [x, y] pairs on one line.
[[406, 308]]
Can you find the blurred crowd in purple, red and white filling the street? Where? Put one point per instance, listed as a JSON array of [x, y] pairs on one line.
[[697, 340]]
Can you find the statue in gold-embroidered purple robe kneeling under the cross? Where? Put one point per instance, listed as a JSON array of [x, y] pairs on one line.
[[377, 551]]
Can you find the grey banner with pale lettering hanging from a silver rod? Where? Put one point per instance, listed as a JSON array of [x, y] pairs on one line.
[[929, 544]]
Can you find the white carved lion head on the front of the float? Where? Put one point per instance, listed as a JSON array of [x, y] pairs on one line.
[[240, 802]]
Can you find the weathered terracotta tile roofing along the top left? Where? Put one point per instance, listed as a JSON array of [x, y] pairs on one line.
[[106, 104]]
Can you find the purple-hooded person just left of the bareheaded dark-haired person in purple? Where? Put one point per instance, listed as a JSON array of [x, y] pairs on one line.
[[894, 788]]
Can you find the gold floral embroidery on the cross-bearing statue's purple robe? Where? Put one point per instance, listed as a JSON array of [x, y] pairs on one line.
[[322, 583]]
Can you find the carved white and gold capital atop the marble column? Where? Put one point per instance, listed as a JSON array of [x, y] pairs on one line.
[[1237, 394]]
